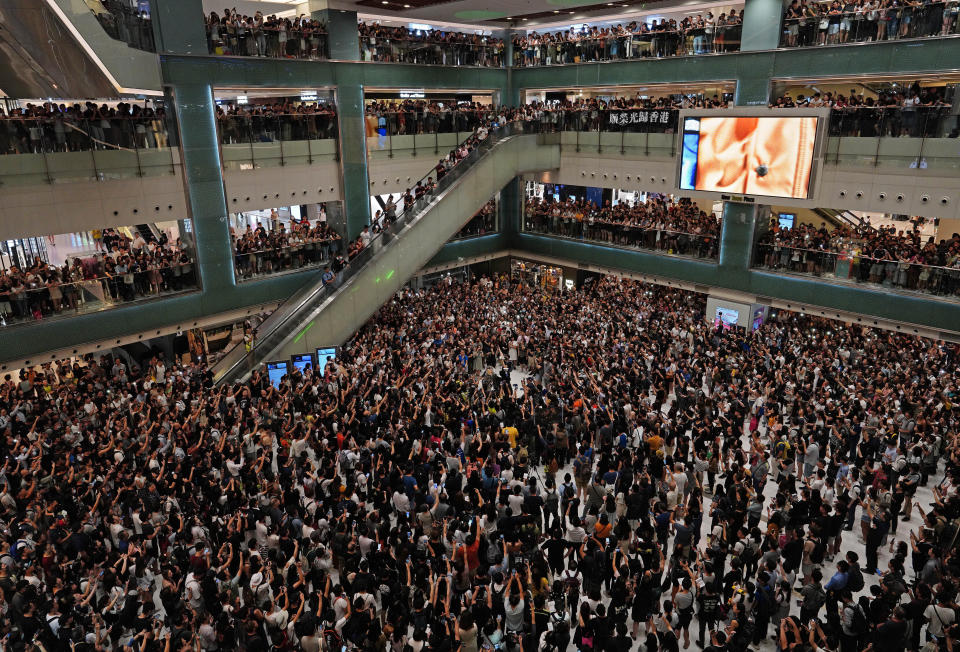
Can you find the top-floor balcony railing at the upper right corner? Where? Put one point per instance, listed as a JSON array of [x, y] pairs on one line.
[[869, 23]]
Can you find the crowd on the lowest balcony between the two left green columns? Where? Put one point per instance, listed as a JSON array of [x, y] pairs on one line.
[[258, 251]]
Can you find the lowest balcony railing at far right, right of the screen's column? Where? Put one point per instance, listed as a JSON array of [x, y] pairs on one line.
[[851, 267]]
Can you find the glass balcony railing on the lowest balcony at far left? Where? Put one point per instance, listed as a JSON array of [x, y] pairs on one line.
[[23, 304]]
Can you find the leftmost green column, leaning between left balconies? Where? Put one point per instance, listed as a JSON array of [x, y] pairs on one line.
[[207, 201]]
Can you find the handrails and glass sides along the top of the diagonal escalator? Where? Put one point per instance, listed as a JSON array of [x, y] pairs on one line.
[[308, 295]]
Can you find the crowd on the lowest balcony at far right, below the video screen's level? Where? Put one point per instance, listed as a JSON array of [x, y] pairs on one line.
[[885, 255]]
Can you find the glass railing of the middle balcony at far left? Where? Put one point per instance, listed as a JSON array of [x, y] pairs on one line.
[[62, 149]]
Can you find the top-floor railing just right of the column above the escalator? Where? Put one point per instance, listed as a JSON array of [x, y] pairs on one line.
[[414, 50]]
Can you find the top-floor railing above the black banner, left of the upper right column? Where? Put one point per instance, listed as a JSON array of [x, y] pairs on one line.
[[667, 43]]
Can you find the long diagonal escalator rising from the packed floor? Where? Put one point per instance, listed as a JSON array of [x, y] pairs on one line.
[[322, 315]]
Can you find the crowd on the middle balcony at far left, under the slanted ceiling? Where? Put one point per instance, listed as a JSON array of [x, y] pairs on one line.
[[51, 127]]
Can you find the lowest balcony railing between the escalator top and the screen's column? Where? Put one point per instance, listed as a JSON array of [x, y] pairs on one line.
[[635, 236]]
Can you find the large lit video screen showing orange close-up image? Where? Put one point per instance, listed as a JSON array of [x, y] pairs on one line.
[[768, 156]]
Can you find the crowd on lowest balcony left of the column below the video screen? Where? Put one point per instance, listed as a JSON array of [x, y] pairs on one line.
[[661, 223]]
